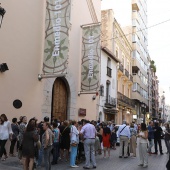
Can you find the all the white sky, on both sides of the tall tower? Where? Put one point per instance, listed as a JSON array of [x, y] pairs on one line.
[[158, 36]]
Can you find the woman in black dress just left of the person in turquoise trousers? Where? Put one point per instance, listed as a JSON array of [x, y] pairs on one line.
[[65, 139]]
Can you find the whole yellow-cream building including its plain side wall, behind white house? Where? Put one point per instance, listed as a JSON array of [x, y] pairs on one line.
[[115, 40]]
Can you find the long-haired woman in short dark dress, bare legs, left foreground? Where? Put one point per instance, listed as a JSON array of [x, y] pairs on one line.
[[28, 148]]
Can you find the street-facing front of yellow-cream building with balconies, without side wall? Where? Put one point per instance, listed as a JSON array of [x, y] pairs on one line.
[[123, 51]]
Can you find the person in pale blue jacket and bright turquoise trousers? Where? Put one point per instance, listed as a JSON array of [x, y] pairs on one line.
[[74, 140]]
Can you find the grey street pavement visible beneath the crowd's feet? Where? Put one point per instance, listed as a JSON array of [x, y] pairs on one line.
[[155, 162]]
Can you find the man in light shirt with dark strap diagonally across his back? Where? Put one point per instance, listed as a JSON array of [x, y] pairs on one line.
[[124, 135]]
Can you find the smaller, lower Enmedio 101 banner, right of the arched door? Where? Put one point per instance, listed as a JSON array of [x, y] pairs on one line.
[[90, 66]]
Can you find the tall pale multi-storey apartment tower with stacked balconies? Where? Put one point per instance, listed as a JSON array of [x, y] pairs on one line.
[[140, 62]]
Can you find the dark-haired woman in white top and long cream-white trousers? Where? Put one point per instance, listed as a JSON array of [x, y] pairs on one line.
[[143, 140]]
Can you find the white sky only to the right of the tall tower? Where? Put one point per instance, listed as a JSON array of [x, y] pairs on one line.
[[159, 42]]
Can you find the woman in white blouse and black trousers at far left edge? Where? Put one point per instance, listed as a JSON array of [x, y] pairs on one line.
[[5, 134]]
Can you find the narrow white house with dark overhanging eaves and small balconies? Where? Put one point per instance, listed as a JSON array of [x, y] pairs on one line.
[[108, 88]]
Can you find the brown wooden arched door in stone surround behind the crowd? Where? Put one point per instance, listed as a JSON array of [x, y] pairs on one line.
[[60, 99]]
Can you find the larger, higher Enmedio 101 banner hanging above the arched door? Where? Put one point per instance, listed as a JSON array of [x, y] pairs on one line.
[[56, 36]]
